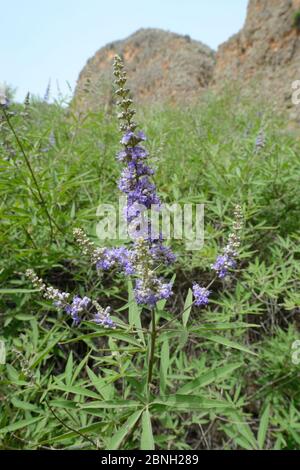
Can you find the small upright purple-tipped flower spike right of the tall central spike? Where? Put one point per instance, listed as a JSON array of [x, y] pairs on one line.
[[227, 261]]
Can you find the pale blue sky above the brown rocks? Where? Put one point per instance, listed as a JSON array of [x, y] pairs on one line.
[[42, 39]]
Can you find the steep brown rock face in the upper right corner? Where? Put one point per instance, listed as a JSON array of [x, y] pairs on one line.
[[265, 53]]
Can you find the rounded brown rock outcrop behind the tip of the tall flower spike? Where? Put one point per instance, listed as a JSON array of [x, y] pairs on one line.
[[162, 66]]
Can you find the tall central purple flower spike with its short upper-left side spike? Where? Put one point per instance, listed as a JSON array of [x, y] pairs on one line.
[[148, 252]]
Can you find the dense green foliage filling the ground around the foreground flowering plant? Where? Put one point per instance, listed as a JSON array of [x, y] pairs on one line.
[[203, 154]]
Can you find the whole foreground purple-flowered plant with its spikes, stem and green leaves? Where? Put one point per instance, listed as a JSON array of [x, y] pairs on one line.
[[150, 327]]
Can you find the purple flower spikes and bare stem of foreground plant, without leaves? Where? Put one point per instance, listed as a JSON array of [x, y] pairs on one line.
[[143, 257]]
